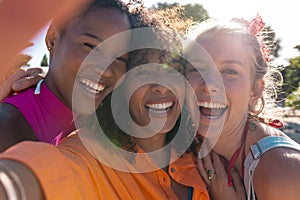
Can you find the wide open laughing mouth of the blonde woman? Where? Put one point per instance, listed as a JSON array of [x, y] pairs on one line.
[[212, 110]]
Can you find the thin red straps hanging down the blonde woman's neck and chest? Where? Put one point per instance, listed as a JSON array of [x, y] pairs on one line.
[[236, 155]]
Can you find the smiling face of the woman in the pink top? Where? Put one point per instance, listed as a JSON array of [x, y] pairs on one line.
[[72, 45]]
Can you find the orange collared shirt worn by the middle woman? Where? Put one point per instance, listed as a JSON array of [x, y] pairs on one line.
[[69, 171]]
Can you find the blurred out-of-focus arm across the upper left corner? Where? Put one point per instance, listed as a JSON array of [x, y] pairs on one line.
[[29, 17]]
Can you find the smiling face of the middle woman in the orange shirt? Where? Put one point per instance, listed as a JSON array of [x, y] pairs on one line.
[[158, 92]]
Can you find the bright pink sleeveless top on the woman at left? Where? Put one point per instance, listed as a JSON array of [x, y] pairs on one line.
[[48, 117]]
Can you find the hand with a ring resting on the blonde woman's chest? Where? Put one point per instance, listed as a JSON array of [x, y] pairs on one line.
[[214, 175]]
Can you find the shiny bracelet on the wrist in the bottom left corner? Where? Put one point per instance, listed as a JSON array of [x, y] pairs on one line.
[[11, 183]]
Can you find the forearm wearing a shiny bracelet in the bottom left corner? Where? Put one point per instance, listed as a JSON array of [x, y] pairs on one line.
[[18, 182]]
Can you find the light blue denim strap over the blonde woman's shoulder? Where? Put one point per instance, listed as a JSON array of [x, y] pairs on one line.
[[267, 143]]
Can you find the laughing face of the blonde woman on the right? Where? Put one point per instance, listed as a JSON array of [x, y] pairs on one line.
[[233, 63]]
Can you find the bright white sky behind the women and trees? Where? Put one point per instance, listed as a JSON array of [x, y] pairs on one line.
[[282, 16]]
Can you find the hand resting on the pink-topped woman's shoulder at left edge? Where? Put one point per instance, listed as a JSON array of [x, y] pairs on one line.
[[22, 79]]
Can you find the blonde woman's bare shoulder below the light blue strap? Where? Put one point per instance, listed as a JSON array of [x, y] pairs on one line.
[[278, 175]]
